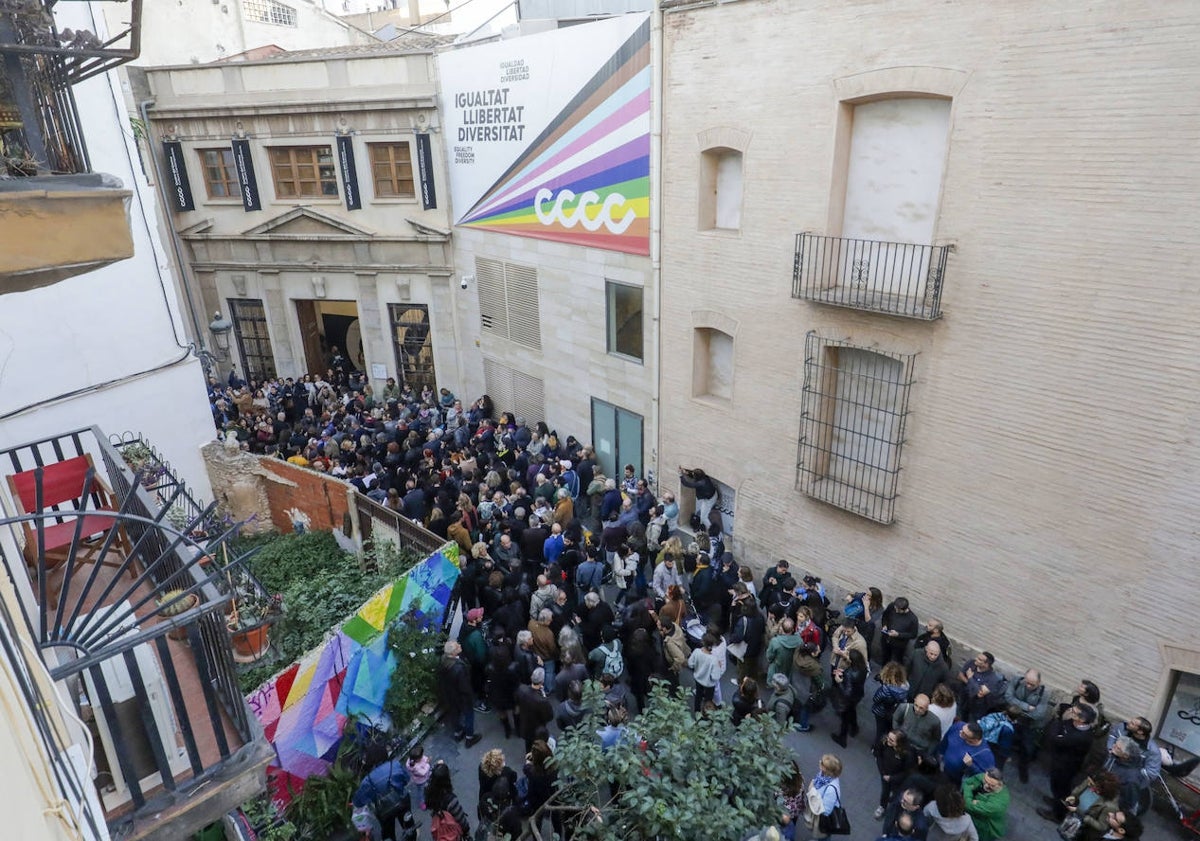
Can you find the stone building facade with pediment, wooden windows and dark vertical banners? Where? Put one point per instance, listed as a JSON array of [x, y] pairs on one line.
[[343, 238]]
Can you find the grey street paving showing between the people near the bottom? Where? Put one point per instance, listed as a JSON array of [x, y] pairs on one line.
[[860, 779]]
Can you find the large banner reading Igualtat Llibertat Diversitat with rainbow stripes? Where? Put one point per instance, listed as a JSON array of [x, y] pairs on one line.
[[549, 136]]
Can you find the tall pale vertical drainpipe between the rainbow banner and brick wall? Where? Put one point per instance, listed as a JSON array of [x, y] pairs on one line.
[[657, 88]]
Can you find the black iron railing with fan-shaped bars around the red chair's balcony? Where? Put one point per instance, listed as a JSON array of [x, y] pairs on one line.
[[170, 718]]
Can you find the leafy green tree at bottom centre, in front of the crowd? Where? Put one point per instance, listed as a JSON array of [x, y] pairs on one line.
[[677, 776]]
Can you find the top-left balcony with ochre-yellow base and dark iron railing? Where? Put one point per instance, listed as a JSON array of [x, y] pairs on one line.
[[61, 220]]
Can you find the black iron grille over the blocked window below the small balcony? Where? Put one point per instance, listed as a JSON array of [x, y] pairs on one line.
[[855, 406]]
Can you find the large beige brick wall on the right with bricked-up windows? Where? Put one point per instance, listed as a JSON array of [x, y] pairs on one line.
[[1051, 477]]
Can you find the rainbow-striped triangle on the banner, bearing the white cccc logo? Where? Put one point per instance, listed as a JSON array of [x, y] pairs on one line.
[[586, 179]]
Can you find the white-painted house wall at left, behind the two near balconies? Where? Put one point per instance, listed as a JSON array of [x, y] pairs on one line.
[[113, 325]]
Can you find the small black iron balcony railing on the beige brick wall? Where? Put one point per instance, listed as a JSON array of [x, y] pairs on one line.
[[895, 279]]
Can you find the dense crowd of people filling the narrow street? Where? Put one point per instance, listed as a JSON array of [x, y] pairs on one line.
[[571, 576]]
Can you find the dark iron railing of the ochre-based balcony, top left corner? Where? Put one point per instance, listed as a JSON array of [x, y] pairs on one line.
[[40, 131]]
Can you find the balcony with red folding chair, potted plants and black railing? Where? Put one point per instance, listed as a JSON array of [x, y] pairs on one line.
[[130, 626]]
